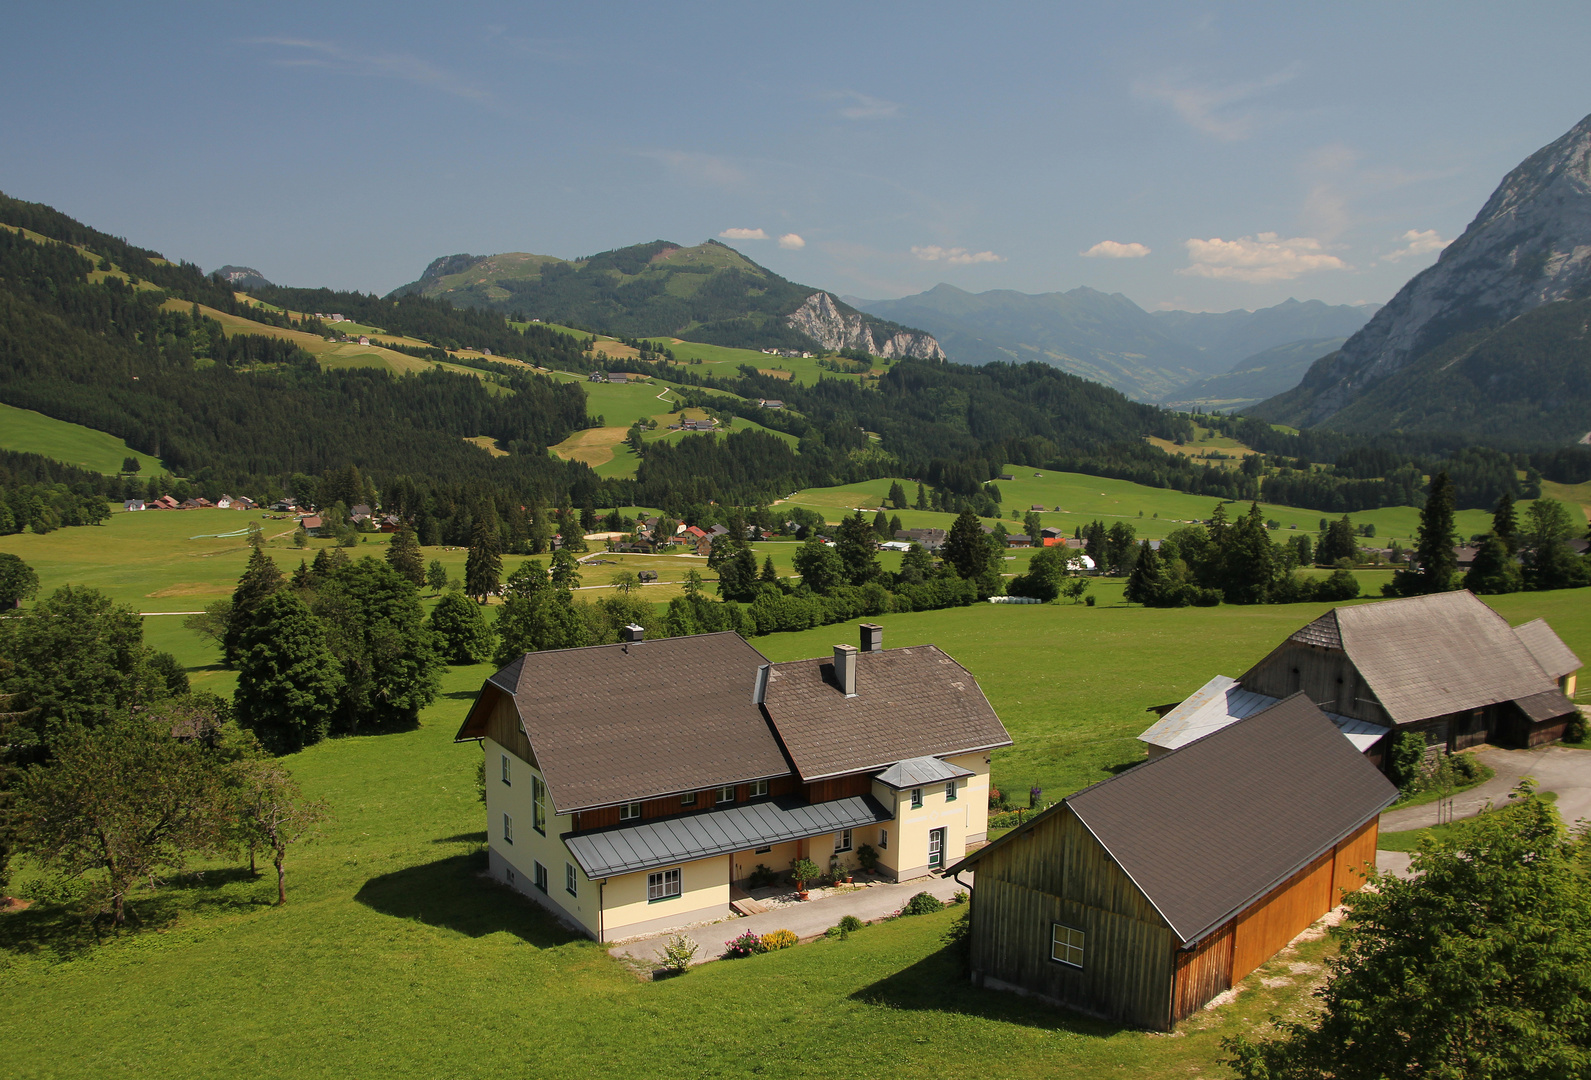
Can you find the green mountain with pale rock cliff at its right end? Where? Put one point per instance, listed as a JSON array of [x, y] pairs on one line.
[[709, 293]]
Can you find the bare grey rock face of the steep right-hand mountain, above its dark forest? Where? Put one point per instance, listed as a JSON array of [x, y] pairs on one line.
[[1530, 246]]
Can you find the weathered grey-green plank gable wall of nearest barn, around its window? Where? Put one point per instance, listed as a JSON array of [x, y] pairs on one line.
[[1060, 874]]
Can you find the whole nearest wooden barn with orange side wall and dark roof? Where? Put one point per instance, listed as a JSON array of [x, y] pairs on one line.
[[1148, 895]]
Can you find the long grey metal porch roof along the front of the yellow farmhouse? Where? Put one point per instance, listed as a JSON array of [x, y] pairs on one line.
[[715, 833]]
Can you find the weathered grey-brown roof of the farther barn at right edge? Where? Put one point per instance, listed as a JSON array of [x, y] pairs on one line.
[[1431, 656]]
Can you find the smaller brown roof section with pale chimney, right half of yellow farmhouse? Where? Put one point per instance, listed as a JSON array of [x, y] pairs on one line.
[[909, 704]]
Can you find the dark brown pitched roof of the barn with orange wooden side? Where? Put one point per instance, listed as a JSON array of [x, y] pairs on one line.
[[1213, 826]]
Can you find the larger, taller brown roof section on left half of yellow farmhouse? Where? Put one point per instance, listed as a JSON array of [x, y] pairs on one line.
[[620, 723]]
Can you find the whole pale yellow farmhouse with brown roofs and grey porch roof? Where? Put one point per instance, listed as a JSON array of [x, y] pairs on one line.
[[631, 787]]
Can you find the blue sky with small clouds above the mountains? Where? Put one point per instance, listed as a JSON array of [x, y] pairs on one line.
[[1204, 157]]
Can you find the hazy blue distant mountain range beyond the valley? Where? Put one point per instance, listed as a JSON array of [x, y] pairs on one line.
[[1108, 338]]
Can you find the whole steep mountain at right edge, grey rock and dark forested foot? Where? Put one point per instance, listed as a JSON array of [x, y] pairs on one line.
[[1493, 340]]
